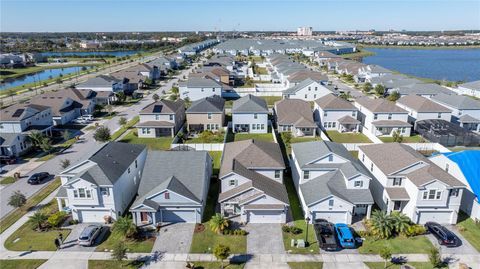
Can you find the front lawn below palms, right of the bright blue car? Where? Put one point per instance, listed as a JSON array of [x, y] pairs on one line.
[[398, 245]]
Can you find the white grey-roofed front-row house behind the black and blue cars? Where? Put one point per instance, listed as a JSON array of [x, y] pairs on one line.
[[330, 182]]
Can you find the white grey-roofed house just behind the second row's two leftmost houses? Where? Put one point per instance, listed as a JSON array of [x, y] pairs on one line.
[[198, 87]]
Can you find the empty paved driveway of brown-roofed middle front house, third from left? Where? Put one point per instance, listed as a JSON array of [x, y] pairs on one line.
[[264, 238]]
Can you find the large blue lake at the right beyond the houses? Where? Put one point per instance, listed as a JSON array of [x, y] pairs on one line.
[[440, 64]]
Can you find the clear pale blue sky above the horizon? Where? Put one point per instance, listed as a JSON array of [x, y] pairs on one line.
[[241, 15]]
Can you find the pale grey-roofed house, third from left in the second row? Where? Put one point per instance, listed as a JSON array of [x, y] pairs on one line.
[[250, 115]]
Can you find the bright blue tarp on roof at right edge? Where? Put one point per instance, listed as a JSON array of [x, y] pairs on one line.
[[469, 163]]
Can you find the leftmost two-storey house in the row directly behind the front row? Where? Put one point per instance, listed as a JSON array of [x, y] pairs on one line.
[[161, 118]]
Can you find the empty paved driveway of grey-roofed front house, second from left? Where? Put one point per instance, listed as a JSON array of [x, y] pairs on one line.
[[174, 238]]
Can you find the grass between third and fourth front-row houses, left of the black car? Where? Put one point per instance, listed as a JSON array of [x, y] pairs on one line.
[[299, 222]]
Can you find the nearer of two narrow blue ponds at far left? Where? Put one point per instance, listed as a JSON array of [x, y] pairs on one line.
[[39, 76]]
